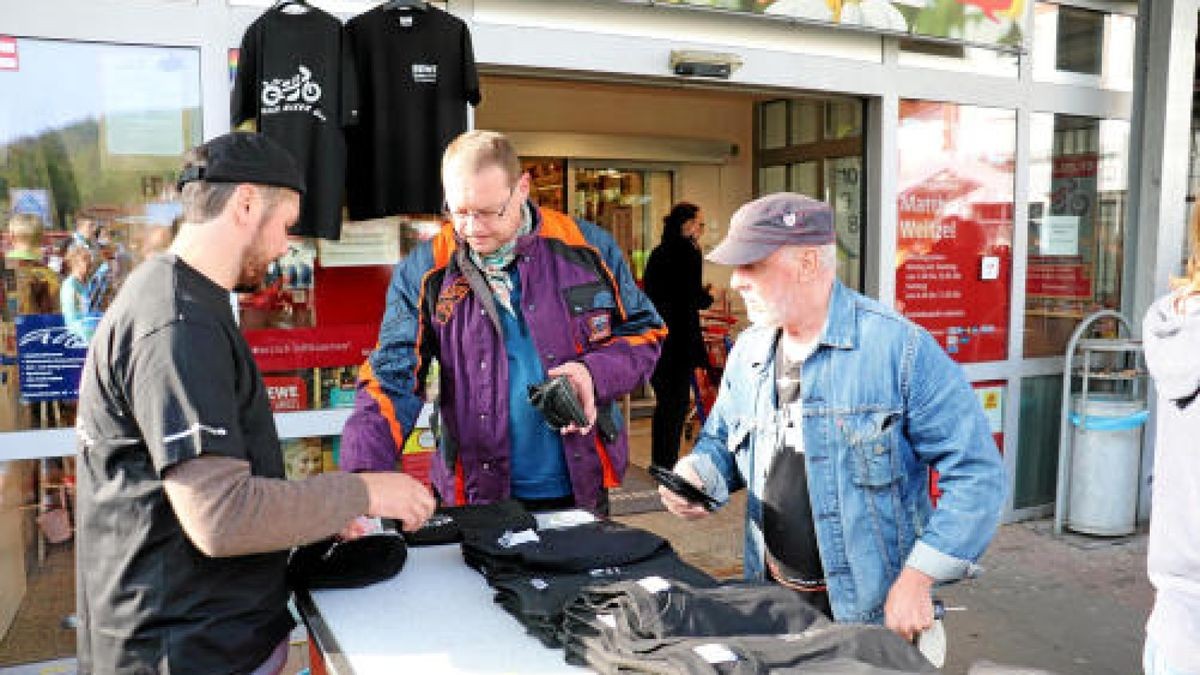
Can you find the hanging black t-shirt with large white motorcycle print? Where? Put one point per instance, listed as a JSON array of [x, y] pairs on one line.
[[296, 79]]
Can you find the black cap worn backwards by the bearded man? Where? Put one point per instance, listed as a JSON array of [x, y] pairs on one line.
[[247, 158]]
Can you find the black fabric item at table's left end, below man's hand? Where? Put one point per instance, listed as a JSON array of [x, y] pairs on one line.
[[333, 564]]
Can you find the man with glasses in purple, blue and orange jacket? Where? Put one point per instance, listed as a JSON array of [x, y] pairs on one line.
[[507, 296]]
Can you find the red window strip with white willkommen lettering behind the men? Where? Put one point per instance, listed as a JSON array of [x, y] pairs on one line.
[[296, 349]]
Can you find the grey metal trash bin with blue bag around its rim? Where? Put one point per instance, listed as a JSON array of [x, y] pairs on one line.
[[1106, 464]]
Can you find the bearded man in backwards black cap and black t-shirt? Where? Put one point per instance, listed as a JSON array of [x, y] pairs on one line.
[[184, 516]]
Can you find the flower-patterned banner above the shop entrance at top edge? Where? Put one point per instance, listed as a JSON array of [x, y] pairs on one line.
[[992, 23]]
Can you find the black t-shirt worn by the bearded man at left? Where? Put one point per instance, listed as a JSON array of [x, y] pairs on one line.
[[170, 378]]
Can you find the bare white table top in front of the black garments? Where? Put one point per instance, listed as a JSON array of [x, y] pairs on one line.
[[435, 618]]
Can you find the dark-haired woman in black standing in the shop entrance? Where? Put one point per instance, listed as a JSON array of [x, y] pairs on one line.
[[674, 283]]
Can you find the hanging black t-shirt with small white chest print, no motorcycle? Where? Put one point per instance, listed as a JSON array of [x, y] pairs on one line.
[[417, 75]]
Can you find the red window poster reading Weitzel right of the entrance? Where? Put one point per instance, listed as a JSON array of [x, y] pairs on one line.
[[956, 225]]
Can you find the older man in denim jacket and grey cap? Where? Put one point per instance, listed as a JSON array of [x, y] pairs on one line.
[[832, 411]]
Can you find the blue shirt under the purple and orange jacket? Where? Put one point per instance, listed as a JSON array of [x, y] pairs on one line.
[[538, 467]]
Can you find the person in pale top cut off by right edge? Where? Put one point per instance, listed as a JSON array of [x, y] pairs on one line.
[[1172, 334]]
